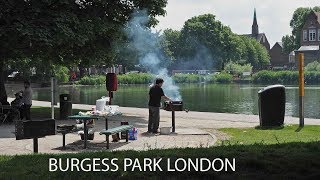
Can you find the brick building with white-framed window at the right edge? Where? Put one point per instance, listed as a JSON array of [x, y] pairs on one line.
[[310, 39]]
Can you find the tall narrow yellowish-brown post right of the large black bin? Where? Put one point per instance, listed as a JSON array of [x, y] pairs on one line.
[[301, 90]]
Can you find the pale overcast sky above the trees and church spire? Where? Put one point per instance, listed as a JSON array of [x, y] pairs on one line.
[[273, 15]]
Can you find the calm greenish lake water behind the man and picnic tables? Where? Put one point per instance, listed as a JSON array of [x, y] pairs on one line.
[[223, 98]]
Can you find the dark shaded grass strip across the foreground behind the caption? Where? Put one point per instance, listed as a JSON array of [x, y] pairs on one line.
[[276, 161]]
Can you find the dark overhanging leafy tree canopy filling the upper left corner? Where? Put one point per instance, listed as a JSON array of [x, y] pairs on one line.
[[66, 31]]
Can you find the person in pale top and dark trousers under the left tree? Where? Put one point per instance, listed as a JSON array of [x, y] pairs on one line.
[[26, 100]]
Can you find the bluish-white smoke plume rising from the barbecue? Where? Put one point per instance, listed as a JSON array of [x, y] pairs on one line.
[[149, 53]]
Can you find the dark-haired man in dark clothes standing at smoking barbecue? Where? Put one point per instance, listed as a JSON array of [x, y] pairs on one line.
[[155, 95]]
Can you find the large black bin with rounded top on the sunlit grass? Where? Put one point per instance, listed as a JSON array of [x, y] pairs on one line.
[[272, 101]]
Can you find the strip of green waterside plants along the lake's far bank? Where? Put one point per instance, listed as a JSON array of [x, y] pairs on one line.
[[260, 77]]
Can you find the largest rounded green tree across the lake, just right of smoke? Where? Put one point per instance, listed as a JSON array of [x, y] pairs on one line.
[[205, 31]]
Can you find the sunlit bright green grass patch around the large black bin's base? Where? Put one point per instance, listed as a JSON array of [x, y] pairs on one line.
[[286, 134]]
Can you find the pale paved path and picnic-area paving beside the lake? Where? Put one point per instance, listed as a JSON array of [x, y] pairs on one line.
[[189, 131]]
